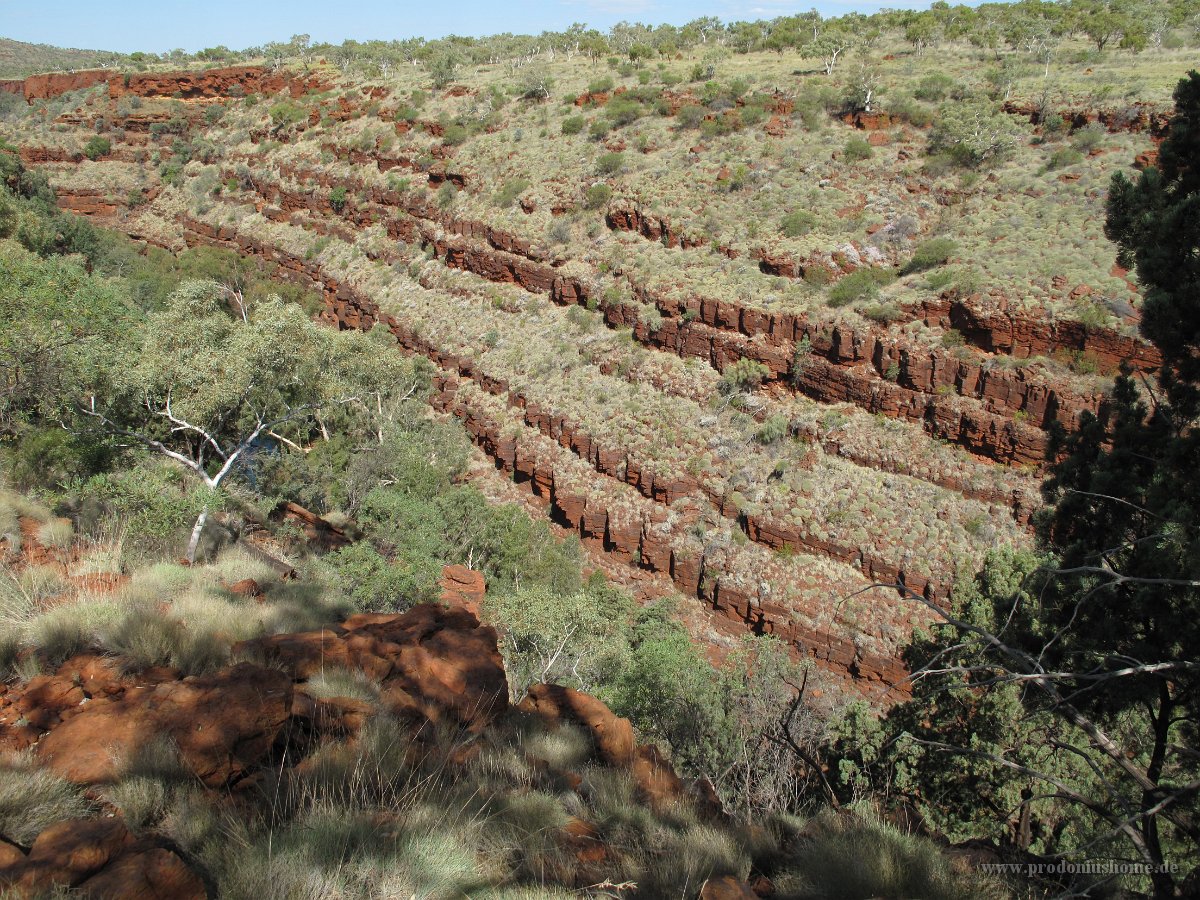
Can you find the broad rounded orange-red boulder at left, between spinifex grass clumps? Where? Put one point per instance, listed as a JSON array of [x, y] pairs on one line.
[[223, 724]]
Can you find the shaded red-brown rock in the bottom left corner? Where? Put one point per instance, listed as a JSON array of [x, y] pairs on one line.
[[99, 859]]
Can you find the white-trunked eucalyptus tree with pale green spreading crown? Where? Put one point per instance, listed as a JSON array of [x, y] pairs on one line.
[[206, 387]]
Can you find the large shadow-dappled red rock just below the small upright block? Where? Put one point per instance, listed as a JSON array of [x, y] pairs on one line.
[[430, 662]]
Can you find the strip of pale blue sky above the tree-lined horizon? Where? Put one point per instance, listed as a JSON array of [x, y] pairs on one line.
[[158, 26]]
